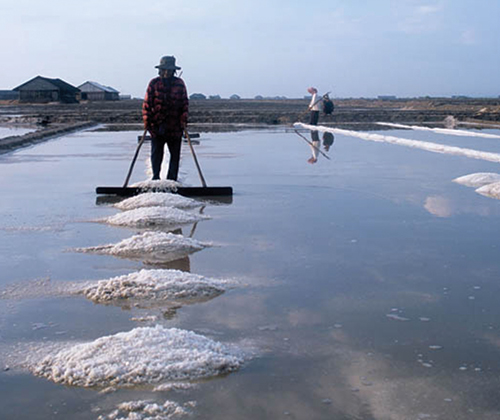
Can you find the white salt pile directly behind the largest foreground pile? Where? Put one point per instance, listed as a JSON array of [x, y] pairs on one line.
[[155, 284]]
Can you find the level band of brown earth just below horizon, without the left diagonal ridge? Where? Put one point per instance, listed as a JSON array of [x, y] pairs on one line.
[[266, 112]]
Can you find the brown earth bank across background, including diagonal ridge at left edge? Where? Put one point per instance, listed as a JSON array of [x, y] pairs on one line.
[[227, 115]]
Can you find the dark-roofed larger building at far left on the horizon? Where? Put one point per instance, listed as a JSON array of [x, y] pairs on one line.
[[42, 90]]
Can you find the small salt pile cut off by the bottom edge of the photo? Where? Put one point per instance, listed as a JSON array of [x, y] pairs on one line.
[[148, 410]]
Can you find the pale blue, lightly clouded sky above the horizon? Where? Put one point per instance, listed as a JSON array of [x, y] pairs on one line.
[[351, 48]]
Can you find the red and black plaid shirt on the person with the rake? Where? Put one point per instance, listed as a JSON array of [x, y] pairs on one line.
[[165, 107]]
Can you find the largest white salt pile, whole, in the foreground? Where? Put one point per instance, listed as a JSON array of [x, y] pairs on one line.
[[143, 356]]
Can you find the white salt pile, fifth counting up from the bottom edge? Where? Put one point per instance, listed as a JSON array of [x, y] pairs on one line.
[[154, 216]]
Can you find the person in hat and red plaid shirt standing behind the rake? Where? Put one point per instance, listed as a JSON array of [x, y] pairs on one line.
[[165, 113]]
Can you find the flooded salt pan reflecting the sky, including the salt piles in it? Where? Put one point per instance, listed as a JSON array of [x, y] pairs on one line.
[[367, 284]]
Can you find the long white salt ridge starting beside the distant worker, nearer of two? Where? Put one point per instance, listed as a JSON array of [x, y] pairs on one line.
[[416, 144]]
